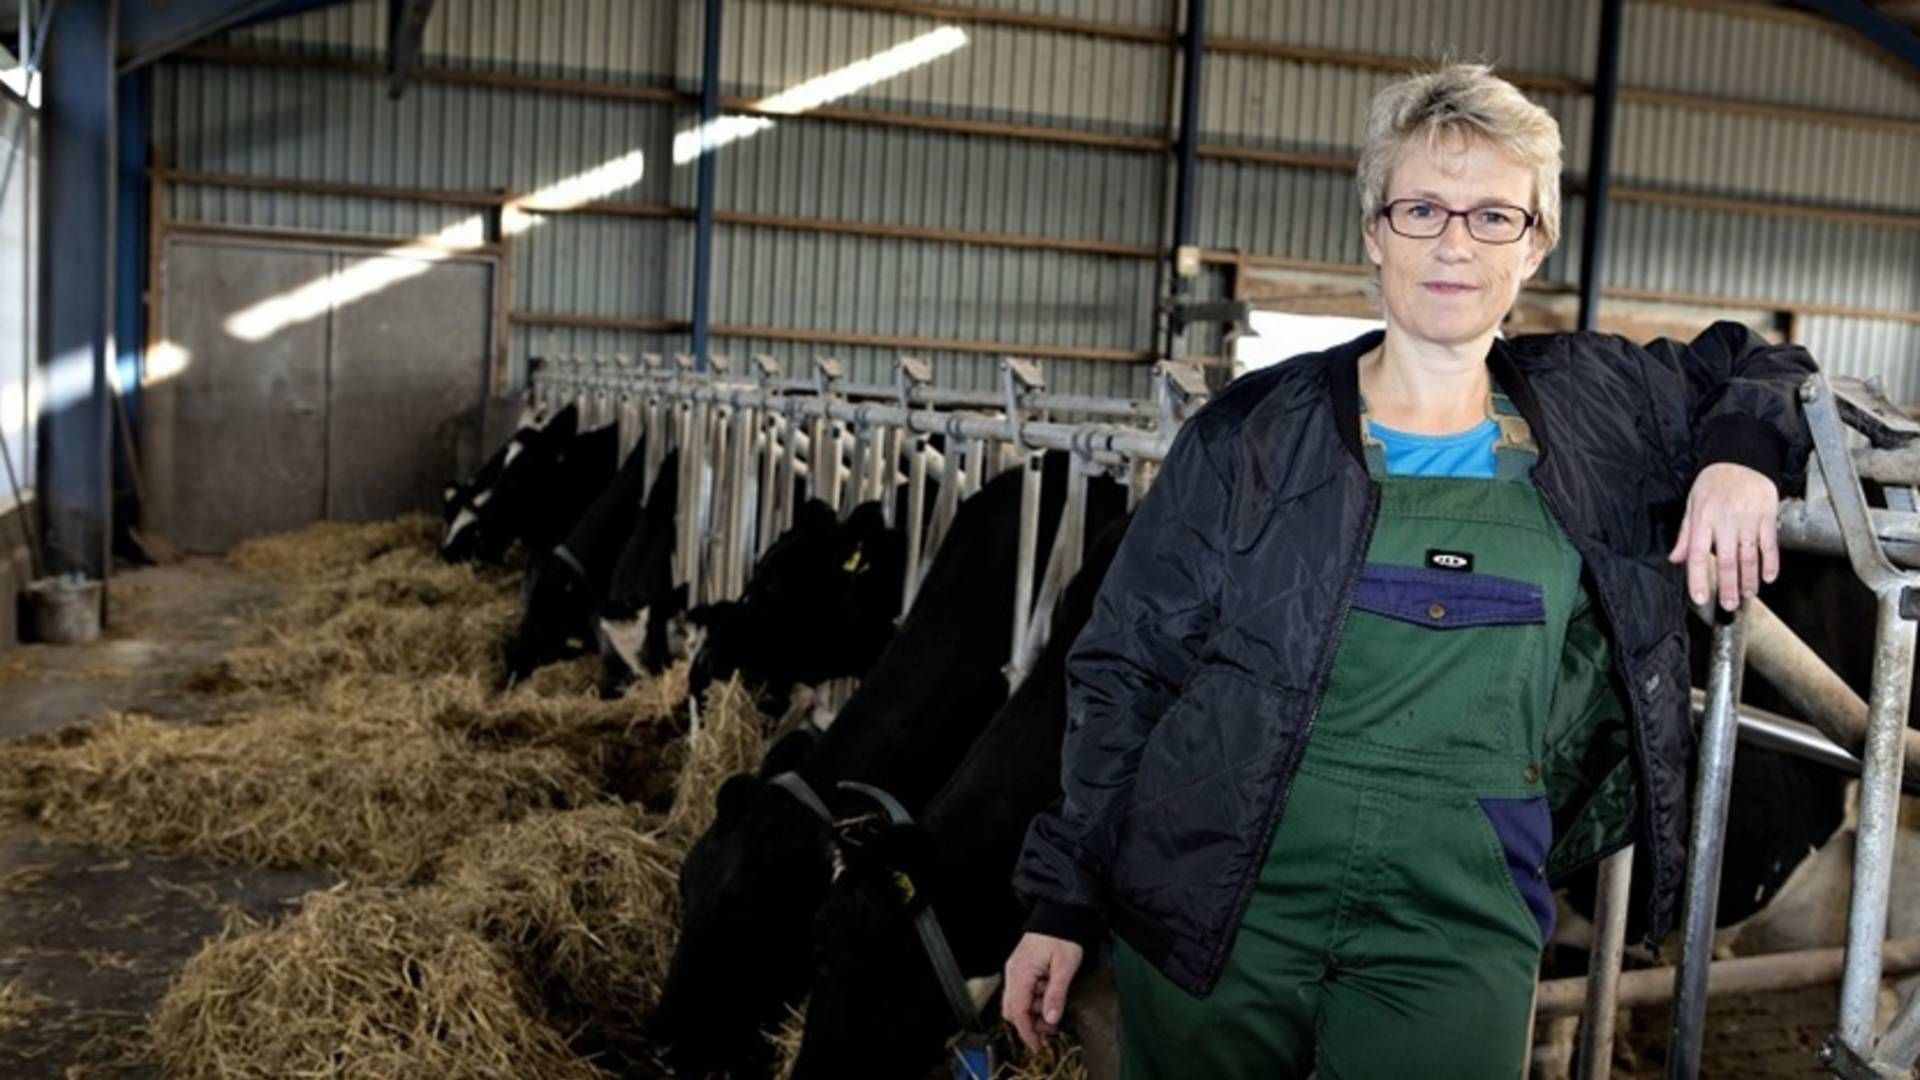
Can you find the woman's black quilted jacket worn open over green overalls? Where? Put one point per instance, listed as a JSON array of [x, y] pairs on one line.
[[1195, 683]]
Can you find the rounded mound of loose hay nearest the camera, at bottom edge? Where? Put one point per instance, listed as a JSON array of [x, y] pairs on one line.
[[356, 985]]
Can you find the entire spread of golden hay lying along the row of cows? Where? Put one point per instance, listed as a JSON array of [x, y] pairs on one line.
[[366, 735]]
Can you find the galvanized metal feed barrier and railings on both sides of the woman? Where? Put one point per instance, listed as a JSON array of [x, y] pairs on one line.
[[748, 439]]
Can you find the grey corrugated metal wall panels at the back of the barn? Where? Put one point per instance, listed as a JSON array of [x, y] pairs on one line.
[[316, 122]]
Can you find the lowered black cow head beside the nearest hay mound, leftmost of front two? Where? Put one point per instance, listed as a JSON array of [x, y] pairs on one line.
[[748, 893]]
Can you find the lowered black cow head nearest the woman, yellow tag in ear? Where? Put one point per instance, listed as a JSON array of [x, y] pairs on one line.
[[876, 1008]]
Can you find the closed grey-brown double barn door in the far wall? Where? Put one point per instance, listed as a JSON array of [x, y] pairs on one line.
[[356, 408]]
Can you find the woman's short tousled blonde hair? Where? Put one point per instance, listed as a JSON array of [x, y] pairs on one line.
[[1462, 101]]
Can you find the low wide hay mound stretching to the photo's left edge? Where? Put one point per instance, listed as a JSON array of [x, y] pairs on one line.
[[285, 789]]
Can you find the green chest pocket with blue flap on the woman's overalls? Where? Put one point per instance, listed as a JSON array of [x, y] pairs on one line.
[[1435, 662]]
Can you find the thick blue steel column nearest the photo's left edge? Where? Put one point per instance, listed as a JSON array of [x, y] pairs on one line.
[[78, 285]]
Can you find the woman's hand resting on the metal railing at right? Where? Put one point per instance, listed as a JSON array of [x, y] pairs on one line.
[[1733, 514]]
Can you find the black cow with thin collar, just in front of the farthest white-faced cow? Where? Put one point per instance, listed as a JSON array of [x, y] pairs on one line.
[[569, 581]]
